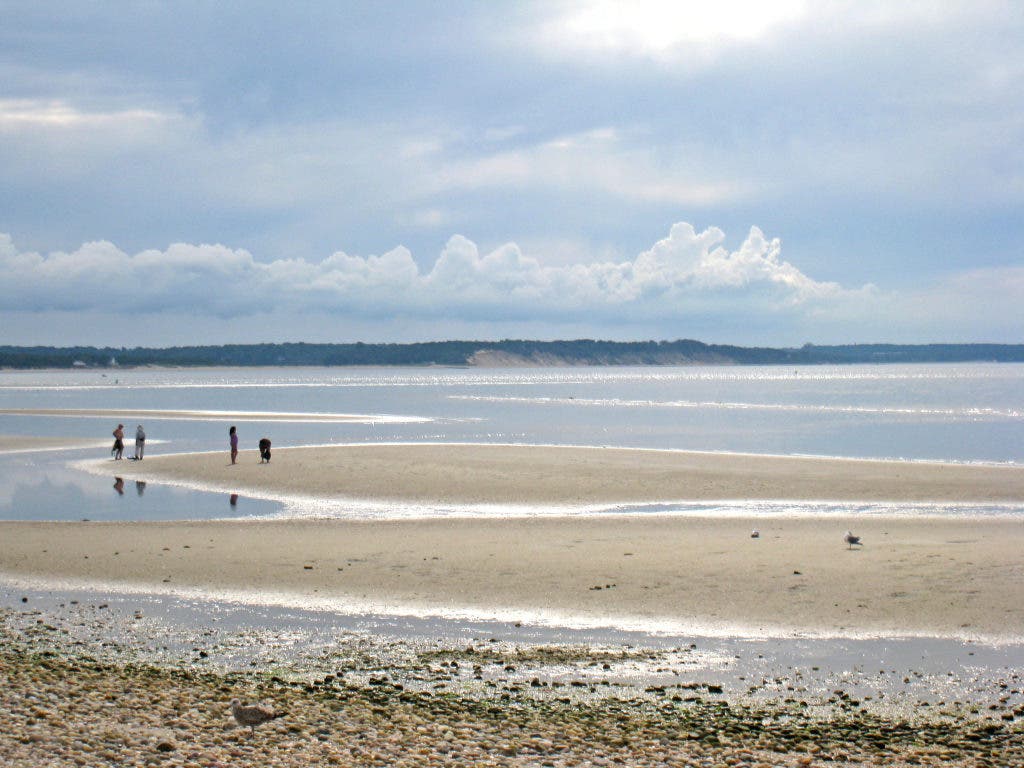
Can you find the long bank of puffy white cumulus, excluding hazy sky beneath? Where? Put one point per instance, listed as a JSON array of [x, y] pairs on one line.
[[686, 274]]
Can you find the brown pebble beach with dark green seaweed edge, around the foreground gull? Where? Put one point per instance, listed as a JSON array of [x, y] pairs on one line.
[[64, 711]]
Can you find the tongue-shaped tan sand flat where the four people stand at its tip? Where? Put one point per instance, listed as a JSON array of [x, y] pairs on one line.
[[450, 474]]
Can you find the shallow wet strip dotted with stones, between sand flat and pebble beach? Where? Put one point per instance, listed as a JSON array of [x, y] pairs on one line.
[[894, 674]]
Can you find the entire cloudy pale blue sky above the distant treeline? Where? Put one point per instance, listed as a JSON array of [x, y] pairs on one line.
[[745, 173]]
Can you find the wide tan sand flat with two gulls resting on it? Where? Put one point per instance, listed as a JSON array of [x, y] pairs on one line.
[[960, 578]]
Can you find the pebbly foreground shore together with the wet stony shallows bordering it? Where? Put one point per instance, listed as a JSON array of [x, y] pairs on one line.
[[163, 672]]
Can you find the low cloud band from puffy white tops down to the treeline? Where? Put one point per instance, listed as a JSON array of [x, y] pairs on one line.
[[688, 284]]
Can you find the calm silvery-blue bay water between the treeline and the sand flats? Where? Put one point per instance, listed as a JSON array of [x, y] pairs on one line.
[[963, 413]]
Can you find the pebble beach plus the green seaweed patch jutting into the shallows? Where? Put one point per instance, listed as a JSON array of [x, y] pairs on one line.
[[70, 702]]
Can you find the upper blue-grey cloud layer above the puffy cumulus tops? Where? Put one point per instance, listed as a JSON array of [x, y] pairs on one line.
[[806, 116]]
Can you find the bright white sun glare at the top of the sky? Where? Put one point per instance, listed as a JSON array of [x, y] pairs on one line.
[[654, 27]]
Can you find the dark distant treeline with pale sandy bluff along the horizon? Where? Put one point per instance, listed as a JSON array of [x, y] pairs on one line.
[[507, 353]]
